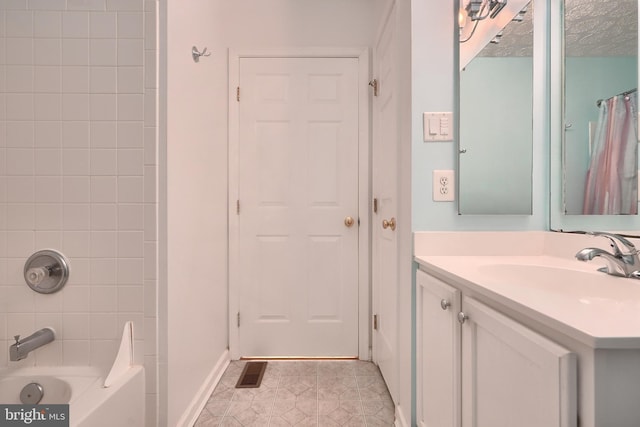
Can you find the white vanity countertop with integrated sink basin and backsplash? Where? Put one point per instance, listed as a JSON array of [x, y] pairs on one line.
[[567, 295]]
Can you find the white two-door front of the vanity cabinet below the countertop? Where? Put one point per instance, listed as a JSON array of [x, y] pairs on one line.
[[480, 368]]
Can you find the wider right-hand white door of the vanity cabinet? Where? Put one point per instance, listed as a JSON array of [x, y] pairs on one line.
[[512, 376]]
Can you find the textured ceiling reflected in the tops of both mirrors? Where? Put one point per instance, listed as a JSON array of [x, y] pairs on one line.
[[592, 28]]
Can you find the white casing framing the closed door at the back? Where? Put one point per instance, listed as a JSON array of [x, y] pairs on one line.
[[364, 183]]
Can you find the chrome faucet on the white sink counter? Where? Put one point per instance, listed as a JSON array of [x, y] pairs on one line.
[[624, 261]]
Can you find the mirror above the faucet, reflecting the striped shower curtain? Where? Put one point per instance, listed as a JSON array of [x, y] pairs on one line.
[[599, 140]]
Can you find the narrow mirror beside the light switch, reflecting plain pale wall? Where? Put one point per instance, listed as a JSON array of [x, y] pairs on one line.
[[496, 108]]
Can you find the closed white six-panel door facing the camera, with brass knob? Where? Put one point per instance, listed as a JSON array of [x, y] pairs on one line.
[[298, 187]]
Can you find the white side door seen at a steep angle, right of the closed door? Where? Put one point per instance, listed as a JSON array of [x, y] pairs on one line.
[[385, 188]]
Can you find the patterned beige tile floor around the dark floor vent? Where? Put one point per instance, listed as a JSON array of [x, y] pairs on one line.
[[302, 393]]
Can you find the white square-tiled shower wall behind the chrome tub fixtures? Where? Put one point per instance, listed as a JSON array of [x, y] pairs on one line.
[[78, 173]]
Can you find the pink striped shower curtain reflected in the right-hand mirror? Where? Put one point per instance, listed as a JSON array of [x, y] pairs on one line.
[[612, 184]]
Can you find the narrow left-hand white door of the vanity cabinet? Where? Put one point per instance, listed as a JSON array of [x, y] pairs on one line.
[[438, 355]]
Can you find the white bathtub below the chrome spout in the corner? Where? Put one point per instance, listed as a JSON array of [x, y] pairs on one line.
[[90, 404]]
